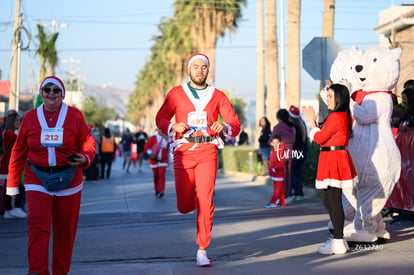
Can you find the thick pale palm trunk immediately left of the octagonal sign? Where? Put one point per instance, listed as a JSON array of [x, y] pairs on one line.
[[293, 53]]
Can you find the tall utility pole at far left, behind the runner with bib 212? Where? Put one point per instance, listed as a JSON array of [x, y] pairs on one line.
[[15, 67]]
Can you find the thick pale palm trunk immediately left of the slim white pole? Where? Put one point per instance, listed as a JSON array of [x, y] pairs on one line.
[[272, 78]]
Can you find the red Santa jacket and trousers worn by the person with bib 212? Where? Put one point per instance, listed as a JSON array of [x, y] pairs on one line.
[[59, 207]]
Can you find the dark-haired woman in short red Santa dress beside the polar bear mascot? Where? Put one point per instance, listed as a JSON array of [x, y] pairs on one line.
[[335, 168]]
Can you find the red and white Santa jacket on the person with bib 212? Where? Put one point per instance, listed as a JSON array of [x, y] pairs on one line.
[[77, 138]]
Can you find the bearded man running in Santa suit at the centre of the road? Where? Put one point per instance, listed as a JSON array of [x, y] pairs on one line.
[[196, 106]]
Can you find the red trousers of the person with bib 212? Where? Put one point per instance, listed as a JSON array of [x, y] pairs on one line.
[[63, 212]]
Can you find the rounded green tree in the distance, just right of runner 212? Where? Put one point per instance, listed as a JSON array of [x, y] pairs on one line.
[[97, 114]]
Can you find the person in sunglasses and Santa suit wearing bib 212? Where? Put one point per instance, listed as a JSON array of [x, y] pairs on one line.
[[53, 183]]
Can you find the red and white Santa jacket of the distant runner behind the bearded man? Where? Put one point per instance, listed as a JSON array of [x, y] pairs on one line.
[[158, 147]]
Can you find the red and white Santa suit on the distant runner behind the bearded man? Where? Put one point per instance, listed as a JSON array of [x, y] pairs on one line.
[[158, 146]]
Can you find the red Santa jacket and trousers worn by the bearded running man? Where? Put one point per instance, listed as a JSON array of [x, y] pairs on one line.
[[195, 164]]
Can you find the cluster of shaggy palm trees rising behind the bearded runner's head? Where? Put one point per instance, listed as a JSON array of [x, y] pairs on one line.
[[195, 27]]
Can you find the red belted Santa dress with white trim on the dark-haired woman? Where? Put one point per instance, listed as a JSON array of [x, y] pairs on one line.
[[335, 166]]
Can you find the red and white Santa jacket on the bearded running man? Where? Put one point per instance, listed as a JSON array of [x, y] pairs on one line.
[[199, 114]]
